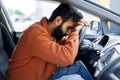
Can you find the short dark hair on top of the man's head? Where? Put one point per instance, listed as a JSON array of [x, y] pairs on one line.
[[66, 12]]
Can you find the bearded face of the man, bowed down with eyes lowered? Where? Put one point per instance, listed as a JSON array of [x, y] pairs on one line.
[[63, 29]]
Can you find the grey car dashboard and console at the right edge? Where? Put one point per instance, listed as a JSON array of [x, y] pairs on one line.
[[108, 65]]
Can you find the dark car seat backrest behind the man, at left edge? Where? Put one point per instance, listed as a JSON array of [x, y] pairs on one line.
[[6, 48]]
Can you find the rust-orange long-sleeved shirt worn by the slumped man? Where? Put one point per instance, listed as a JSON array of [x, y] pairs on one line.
[[36, 56]]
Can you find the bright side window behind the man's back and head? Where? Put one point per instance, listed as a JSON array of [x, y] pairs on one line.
[[23, 15]]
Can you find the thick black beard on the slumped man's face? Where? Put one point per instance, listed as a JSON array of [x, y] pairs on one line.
[[58, 33]]
